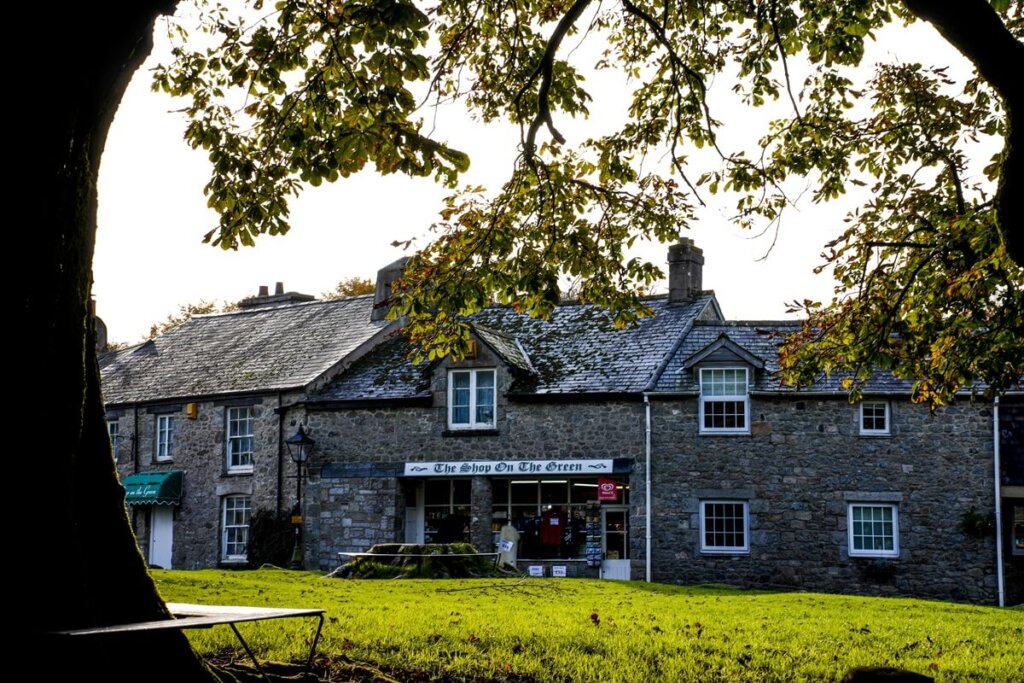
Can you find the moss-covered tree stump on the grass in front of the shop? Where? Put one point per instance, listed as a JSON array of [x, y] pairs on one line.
[[433, 561]]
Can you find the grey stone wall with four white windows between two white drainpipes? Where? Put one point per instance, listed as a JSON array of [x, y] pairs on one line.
[[800, 468]]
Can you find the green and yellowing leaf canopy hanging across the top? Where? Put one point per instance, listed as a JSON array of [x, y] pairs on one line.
[[929, 278]]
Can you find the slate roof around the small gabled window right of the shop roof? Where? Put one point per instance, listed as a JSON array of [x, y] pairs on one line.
[[762, 339]]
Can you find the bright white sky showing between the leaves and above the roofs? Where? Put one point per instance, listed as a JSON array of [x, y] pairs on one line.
[[150, 258]]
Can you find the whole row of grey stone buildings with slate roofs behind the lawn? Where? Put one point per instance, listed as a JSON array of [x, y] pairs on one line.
[[667, 451]]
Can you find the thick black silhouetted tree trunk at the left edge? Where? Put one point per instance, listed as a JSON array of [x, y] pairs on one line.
[[82, 566]]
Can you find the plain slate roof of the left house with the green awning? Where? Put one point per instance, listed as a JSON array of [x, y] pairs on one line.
[[261, 350]]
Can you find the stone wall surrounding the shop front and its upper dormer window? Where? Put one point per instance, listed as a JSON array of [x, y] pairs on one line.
[[396, 436]]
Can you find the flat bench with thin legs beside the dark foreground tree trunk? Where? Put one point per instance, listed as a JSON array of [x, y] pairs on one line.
[[204, 617]]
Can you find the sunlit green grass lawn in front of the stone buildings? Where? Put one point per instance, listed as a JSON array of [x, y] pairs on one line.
[[580, 630]]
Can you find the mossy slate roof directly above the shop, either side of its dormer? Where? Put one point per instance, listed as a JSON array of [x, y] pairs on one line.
[[577, 351]]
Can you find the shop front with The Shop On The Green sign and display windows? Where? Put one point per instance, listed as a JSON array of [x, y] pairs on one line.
[[561, 518]]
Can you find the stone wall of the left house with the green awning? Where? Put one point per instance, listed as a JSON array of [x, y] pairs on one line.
[[200, 452]]
